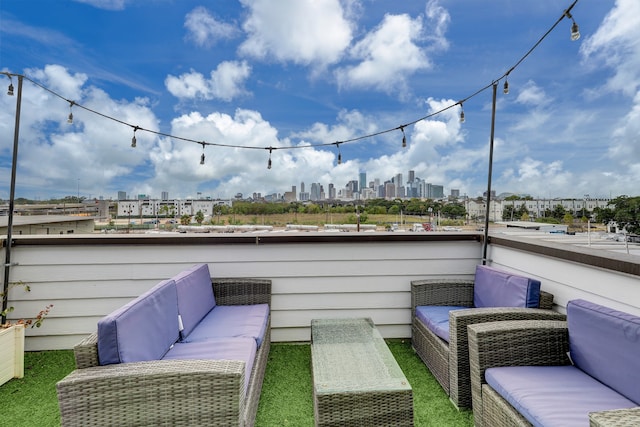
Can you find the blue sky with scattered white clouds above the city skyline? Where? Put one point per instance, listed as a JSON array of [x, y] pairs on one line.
[[294, 73]]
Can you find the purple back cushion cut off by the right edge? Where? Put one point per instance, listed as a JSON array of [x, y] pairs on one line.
[[605, 343]]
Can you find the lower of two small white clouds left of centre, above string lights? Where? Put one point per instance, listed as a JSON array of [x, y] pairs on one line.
[[226, 82]]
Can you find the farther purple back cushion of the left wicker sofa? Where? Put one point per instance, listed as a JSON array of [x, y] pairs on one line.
[[195, 296]]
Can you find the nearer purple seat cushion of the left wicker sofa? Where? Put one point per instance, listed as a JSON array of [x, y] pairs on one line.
[[218, 349]]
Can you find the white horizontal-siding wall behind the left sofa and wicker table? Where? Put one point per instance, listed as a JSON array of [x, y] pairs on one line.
[[310, 280]]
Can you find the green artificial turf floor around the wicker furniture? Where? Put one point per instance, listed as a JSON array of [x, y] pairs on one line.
[[286, 399]]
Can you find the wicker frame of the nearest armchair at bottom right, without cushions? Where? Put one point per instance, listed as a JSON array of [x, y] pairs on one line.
[[532, 343]]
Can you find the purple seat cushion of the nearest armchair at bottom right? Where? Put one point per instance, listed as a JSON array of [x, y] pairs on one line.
[[554, 395]]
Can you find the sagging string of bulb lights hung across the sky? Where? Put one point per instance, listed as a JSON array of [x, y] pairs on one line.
[[575, 35]]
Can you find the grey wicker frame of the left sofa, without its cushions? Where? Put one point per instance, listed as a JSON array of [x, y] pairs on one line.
[[168, 392]]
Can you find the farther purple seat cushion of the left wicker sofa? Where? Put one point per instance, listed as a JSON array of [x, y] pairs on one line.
[[232, 321]]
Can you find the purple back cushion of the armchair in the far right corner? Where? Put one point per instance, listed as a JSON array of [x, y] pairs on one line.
[[495, 288]]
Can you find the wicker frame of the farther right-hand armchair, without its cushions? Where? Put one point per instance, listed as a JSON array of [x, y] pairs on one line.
[[449, 361]]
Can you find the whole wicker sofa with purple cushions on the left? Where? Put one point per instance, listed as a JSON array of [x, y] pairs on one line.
[[211, 375]]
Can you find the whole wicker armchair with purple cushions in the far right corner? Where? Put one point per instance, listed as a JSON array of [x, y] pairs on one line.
[[500, 295]]
